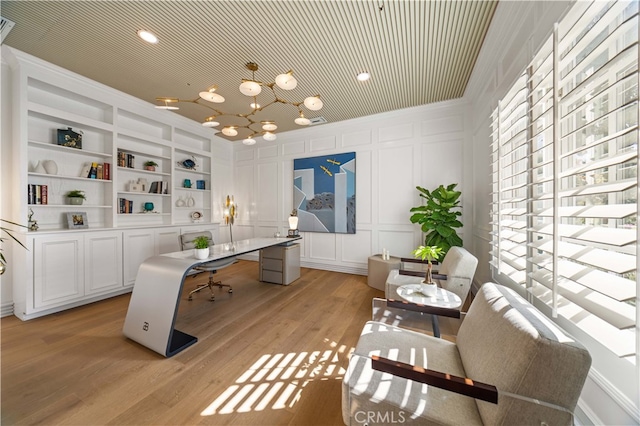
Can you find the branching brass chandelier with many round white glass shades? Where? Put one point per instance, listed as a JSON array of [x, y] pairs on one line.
[[251, 88]]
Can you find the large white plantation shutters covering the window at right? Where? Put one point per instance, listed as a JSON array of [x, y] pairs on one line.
[[565, 178]]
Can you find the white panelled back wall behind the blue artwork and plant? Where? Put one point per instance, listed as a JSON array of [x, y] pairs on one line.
[[395, 152]]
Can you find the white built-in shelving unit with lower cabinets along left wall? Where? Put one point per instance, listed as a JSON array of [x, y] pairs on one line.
[[69, 267]]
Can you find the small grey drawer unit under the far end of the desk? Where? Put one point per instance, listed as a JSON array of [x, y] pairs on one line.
[[280, 264]]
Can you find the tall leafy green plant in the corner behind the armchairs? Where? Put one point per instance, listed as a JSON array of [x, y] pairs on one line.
[[438, 217]]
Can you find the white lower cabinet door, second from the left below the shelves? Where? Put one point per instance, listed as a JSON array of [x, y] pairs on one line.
[[103, 263]]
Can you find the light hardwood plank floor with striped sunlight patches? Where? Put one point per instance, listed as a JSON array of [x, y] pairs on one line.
[[266, 355]]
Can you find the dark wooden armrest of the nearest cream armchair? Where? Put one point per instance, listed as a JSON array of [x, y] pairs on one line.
[[460, 385]]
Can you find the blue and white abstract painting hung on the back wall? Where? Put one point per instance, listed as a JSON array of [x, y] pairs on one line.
[[324, 193]]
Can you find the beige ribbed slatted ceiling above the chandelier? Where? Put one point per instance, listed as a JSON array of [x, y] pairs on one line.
[[418, 52]]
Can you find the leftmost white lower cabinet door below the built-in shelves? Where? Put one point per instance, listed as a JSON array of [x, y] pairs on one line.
[[58, 270]]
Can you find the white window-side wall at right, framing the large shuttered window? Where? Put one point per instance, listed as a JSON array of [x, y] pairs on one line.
[[516, 33]]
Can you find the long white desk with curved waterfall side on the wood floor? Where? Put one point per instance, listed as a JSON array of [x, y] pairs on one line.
[[153, 307]]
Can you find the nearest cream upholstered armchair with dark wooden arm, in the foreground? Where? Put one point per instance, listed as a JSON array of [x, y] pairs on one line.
[[510, 365]]
